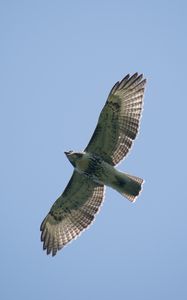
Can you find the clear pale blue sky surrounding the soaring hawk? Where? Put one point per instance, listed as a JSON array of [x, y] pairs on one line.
[[59, 60]]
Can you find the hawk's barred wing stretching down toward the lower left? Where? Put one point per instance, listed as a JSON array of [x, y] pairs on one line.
[[72, 212]]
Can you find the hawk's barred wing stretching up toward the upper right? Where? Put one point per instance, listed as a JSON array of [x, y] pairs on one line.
[[119, 120]]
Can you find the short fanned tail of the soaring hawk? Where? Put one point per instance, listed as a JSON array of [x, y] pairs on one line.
[[128, 185]]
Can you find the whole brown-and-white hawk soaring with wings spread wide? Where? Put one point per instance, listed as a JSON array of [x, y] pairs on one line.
[[112, 139]]
